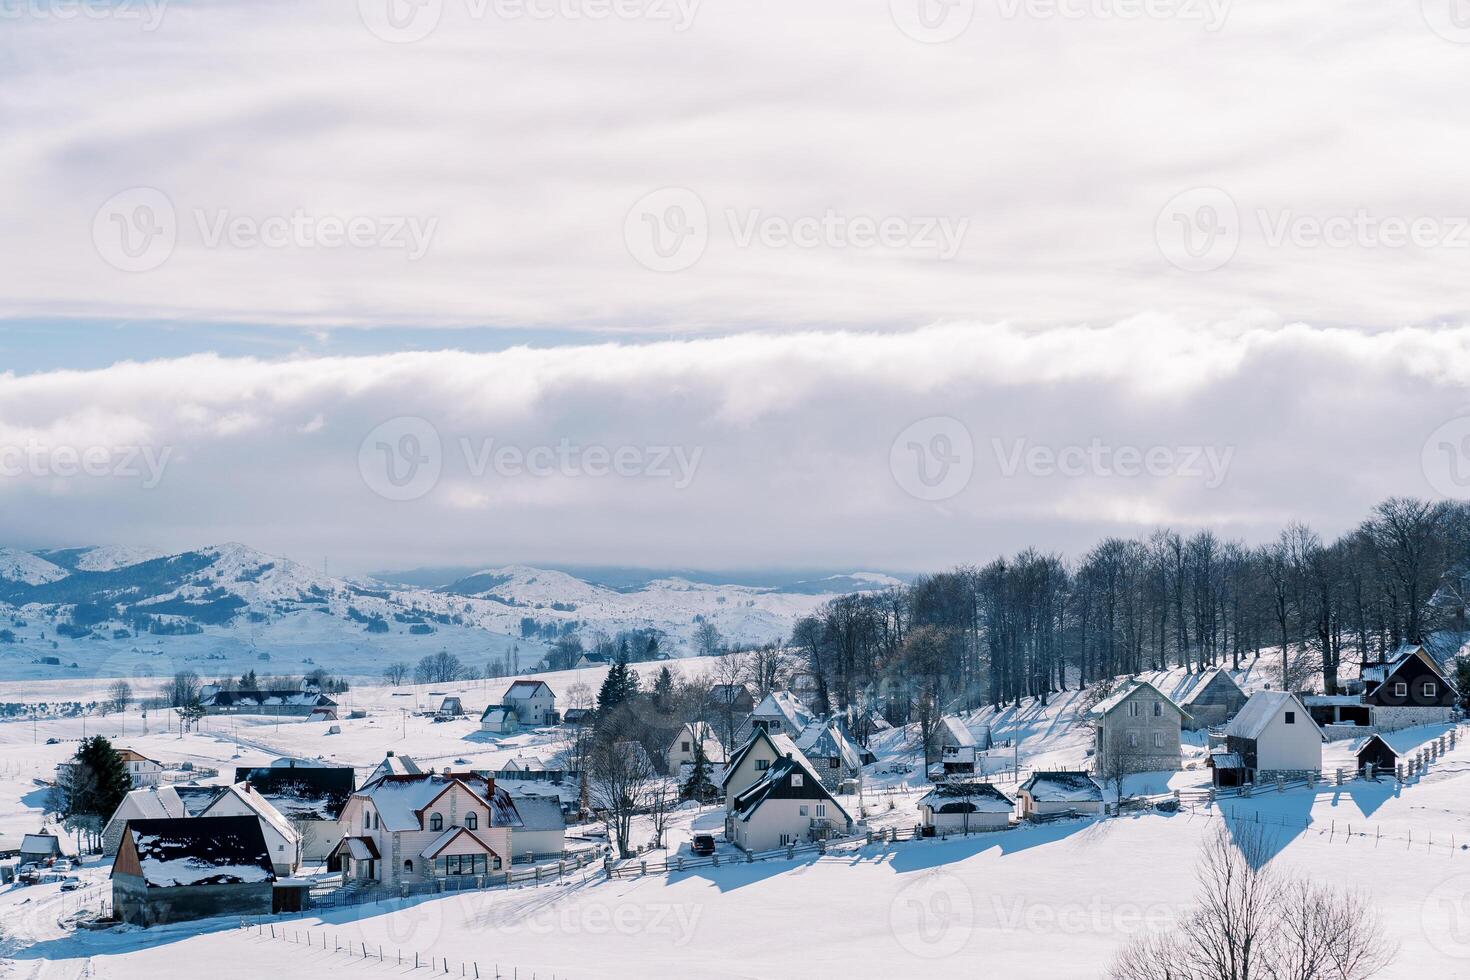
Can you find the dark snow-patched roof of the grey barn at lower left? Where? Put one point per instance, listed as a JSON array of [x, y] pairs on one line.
[[198, 851]]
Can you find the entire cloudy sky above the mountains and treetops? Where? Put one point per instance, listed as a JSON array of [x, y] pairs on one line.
[[862, 284]]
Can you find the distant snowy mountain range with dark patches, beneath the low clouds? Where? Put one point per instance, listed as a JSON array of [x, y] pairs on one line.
[[237, 605]]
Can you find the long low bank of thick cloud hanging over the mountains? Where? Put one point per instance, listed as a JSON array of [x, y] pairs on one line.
[[793, 436]]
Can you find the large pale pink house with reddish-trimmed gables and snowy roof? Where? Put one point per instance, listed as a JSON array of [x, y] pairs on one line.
[[418, 829]]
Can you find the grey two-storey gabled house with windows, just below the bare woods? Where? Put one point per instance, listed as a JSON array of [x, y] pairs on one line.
[[1137, 731]]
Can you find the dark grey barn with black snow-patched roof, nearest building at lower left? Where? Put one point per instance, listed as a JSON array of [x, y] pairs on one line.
[[174, 871]]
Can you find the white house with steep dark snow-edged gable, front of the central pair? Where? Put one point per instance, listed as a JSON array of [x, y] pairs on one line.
[[787, 806]]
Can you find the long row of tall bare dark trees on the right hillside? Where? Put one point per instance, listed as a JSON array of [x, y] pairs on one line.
[[1037, 624]]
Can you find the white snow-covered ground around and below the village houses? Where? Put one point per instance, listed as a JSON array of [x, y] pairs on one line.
[[1043, 903]]
